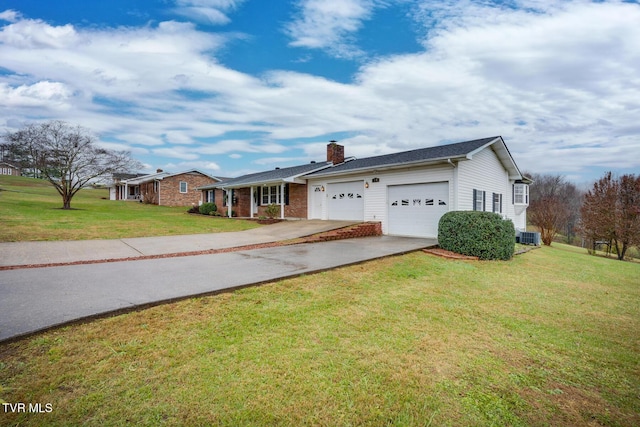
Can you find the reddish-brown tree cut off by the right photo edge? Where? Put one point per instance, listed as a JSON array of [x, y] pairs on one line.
[[611, 212]]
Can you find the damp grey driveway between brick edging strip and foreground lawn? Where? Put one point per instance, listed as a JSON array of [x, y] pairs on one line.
[[35, 299]]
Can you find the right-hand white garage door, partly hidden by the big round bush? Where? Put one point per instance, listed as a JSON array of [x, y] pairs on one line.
[[414, 210]]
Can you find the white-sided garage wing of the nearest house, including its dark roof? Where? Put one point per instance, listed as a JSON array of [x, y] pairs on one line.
[[408, 192]]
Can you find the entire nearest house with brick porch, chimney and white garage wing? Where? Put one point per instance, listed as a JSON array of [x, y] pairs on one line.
[[408, 192]]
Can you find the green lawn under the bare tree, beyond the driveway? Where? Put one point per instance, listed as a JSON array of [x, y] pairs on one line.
[[30, 210]]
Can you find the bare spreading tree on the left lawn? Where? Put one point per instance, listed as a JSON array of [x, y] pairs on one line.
[[67, 156]]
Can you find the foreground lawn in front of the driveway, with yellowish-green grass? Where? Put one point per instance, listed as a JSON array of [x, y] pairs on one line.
[[549, 338]]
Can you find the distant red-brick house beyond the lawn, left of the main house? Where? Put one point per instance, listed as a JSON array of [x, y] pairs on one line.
[[161, 188]]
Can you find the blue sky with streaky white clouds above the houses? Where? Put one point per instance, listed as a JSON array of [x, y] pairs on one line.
[[238, 86]]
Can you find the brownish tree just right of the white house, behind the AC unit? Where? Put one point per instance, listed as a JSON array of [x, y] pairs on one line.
[[552, 205]]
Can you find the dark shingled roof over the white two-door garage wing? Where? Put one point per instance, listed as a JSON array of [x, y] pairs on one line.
[[459, 149]]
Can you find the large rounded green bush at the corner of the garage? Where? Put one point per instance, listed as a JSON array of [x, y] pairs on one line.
[[482, 234]]
